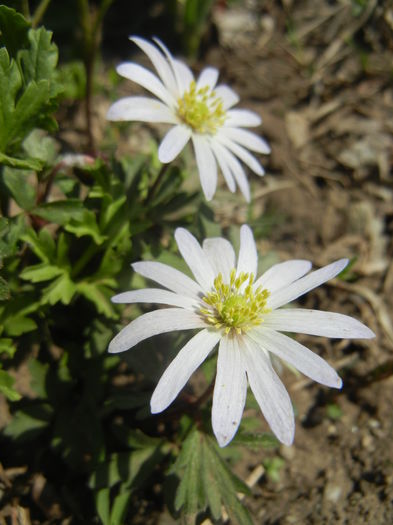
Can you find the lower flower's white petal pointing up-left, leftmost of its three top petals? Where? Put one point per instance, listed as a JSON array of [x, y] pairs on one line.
[[195, 258]]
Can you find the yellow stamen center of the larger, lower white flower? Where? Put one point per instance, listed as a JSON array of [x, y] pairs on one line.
[[235, 306]]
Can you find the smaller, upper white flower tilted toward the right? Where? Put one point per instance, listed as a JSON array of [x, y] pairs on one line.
[[198, 110]]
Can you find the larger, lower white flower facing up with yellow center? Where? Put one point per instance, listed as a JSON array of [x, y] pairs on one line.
[[244, 316]]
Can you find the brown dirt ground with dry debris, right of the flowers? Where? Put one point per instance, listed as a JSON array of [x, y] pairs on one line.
[[319, 73]]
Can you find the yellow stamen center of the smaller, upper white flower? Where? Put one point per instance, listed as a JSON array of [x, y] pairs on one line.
[[201, 109]]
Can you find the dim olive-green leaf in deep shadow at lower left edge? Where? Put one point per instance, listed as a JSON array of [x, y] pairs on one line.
[[28, 423]]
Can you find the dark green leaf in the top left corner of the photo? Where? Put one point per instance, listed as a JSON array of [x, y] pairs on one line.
[[13, 30]]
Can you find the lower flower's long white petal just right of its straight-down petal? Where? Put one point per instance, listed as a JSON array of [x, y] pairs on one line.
[[269, 392]]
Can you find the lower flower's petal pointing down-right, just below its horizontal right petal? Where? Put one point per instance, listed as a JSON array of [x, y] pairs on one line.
[[297, 355]]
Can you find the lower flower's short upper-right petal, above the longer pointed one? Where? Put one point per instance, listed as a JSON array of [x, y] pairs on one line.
[[283, 274]]
